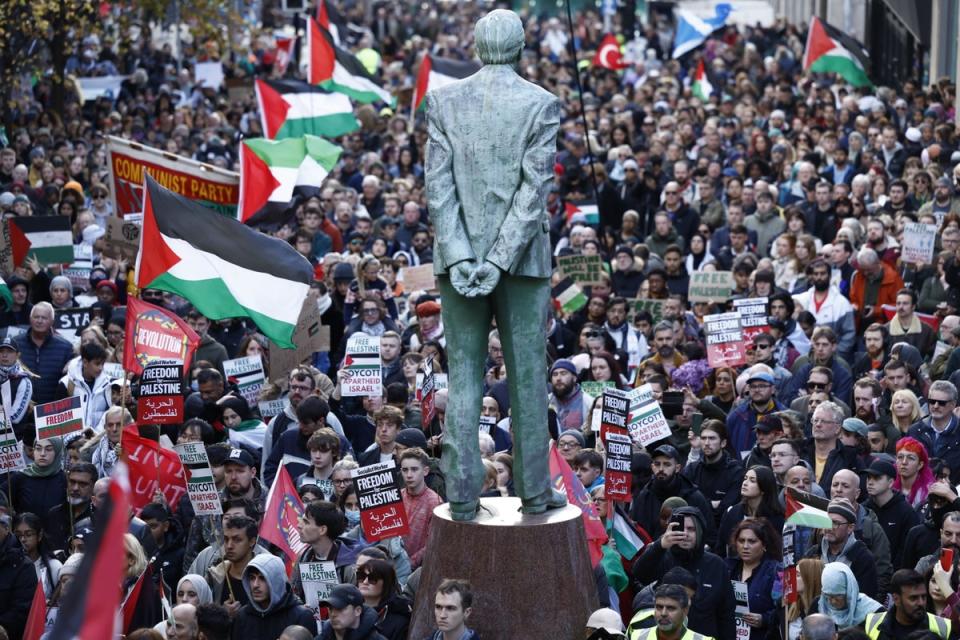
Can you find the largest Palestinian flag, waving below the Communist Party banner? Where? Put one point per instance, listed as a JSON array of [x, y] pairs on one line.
[[224, 268]]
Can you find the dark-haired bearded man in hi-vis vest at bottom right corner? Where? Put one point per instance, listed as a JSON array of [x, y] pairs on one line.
[[908, 616]]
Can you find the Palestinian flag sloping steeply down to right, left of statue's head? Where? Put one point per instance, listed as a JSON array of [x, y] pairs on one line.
[[336, 69]]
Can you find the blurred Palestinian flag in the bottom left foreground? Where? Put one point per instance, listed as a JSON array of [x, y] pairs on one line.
[[89, 611]]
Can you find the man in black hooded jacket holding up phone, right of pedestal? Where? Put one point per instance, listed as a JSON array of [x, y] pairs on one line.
[[712, 610]]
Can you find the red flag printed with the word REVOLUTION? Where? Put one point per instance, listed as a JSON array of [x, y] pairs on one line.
[[154, 333]]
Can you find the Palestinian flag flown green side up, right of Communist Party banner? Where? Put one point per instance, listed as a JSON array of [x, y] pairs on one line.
[[276, 174]]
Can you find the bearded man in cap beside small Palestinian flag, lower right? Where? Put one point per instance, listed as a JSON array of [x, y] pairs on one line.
[[840, 545]]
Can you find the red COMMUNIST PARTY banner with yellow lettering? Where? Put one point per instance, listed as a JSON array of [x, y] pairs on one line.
[[212, 186]]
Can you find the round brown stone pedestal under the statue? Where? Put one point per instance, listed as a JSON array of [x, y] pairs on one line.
[[531, 575]]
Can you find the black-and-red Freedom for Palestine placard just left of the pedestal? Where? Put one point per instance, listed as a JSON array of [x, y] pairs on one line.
[[382, 514]]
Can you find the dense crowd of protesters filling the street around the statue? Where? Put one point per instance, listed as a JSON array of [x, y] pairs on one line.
[[798, 184]]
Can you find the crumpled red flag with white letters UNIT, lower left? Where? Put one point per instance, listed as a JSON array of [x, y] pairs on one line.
[[152, 467]]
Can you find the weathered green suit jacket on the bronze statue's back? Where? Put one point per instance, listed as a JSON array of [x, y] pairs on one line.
[[490, 155]]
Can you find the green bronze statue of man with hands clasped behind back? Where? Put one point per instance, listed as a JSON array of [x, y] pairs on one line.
[[490, 154]]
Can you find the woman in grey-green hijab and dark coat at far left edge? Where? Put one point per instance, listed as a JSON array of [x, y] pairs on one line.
[[43, 484]]
